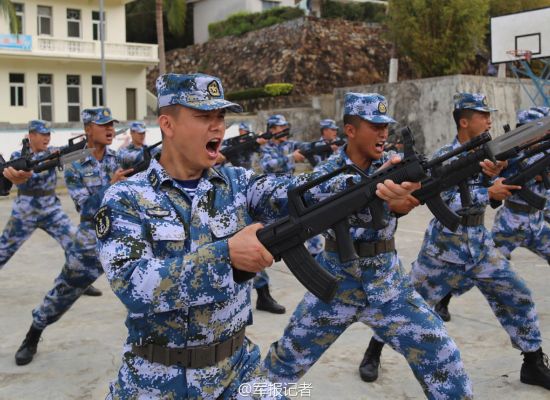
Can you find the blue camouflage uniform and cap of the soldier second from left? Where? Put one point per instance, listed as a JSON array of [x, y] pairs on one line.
[[86, 182]]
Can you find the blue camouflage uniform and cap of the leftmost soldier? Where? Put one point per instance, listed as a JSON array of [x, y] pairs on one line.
[[36, 206]]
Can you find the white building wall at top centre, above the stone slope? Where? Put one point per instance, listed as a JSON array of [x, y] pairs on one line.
[[208, 11]]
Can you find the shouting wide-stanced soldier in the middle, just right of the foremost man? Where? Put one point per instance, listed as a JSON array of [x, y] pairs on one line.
[[374, 288]]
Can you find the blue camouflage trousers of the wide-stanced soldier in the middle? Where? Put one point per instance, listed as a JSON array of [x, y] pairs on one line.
[[396, 313]]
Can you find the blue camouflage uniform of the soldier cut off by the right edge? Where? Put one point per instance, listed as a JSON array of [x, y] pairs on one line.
[[514, 228]]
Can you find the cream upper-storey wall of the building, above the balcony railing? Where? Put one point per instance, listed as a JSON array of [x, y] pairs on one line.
[[115, 28]]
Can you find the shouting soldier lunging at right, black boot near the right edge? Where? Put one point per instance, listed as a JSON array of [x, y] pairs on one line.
[[454, 262]]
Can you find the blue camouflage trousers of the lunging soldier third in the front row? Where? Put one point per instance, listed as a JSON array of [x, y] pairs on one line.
[[507, 294]]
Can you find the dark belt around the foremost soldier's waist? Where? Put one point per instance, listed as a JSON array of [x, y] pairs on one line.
[[191, 357]]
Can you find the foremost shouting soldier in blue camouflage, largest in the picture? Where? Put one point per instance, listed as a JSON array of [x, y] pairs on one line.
[[174, 240]]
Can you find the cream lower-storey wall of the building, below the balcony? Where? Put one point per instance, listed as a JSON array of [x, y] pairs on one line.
[[119, 78]]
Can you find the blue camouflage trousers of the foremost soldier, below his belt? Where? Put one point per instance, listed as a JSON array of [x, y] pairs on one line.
[[140, 379]]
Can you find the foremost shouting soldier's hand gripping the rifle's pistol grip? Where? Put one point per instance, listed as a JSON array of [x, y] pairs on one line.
[[246, 252]]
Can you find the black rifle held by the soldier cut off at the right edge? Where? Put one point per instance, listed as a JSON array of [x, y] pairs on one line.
[[539, 167]]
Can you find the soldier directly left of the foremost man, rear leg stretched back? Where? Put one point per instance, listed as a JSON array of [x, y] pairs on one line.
[[86, 181]]
